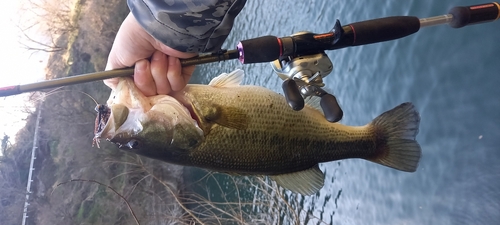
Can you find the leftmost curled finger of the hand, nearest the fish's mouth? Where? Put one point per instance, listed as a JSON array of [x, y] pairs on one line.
[[143, 78]]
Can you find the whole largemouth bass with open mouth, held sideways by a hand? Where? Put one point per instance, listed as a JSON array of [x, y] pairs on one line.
[[250, 130]]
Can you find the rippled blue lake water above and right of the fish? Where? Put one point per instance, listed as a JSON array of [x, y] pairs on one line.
[[451, 75]]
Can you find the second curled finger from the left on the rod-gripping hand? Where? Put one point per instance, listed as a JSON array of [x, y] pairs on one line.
[[159, 68]]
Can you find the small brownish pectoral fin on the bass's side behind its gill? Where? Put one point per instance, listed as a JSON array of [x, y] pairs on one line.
[[230, 117]]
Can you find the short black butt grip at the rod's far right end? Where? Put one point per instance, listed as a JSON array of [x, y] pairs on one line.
[[467, 15]]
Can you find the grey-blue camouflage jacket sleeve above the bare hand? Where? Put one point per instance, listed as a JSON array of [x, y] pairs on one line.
[[189, 25]]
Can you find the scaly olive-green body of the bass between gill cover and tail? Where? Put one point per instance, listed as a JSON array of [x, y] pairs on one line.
[[277, 139]]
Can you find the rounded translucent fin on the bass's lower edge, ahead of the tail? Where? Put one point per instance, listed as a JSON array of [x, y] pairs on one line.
[[306, 182]]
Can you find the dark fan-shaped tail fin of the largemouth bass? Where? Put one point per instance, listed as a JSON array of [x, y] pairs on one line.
[[396, 130]]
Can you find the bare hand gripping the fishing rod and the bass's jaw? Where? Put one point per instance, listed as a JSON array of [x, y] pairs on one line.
[[161, 75]]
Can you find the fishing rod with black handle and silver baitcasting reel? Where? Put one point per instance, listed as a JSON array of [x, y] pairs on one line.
[[299, 59]]
